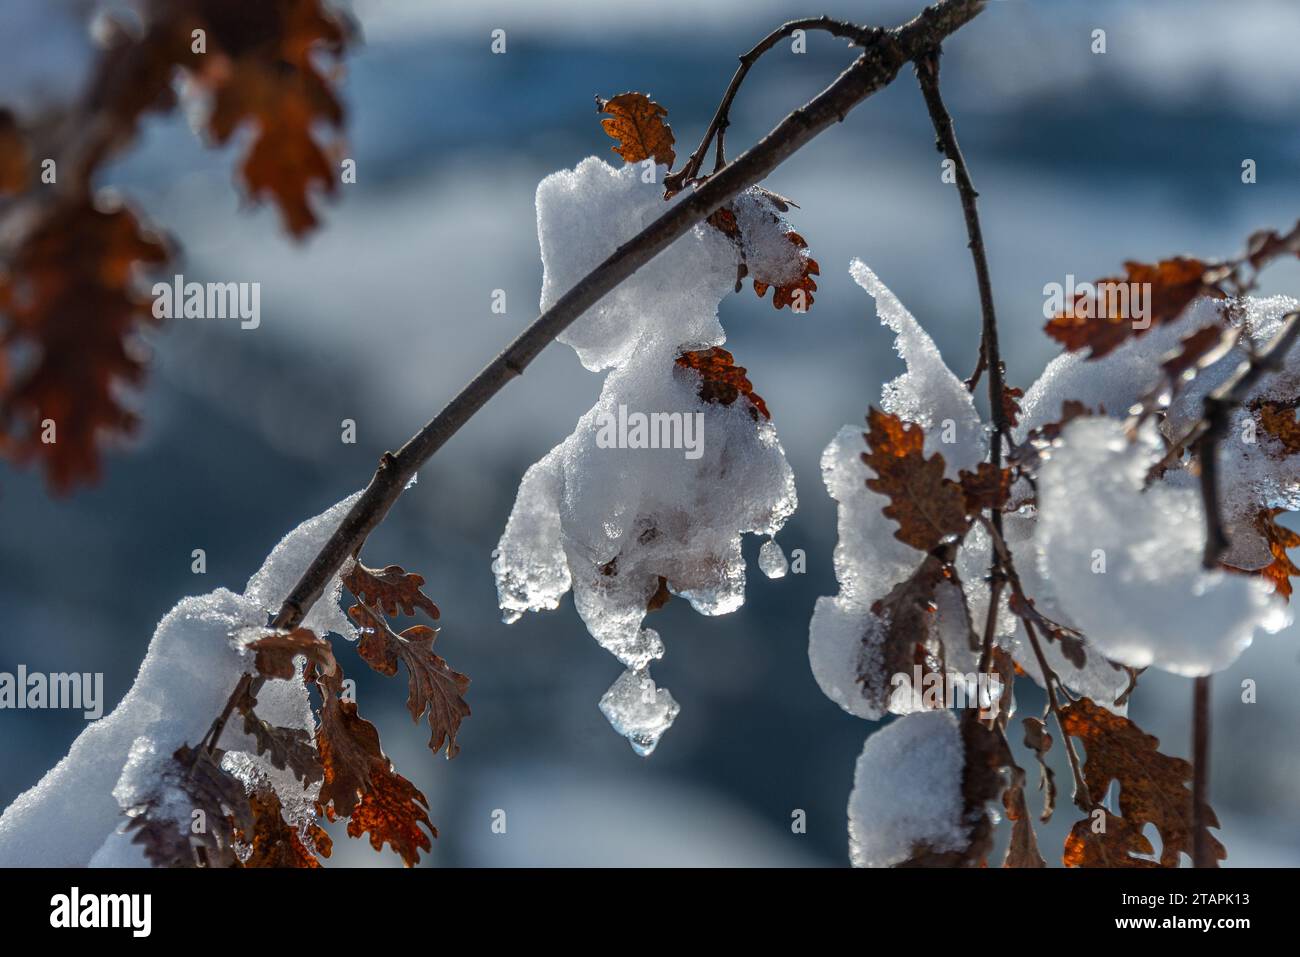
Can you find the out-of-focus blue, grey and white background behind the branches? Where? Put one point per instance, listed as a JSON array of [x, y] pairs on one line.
[[1082, 161]]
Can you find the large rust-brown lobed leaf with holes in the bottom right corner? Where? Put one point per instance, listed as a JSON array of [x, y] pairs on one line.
[[1152, 791]]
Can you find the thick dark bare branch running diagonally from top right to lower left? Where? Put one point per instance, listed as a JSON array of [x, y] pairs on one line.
[[878, 66]]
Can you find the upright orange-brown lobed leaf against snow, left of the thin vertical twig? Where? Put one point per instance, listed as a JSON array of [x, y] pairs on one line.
[[928, 506]]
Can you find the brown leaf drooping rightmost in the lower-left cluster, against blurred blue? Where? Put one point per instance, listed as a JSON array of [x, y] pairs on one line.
[[434, 686]]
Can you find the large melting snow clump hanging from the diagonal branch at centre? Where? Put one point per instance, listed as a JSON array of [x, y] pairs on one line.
[[652, 493]]
